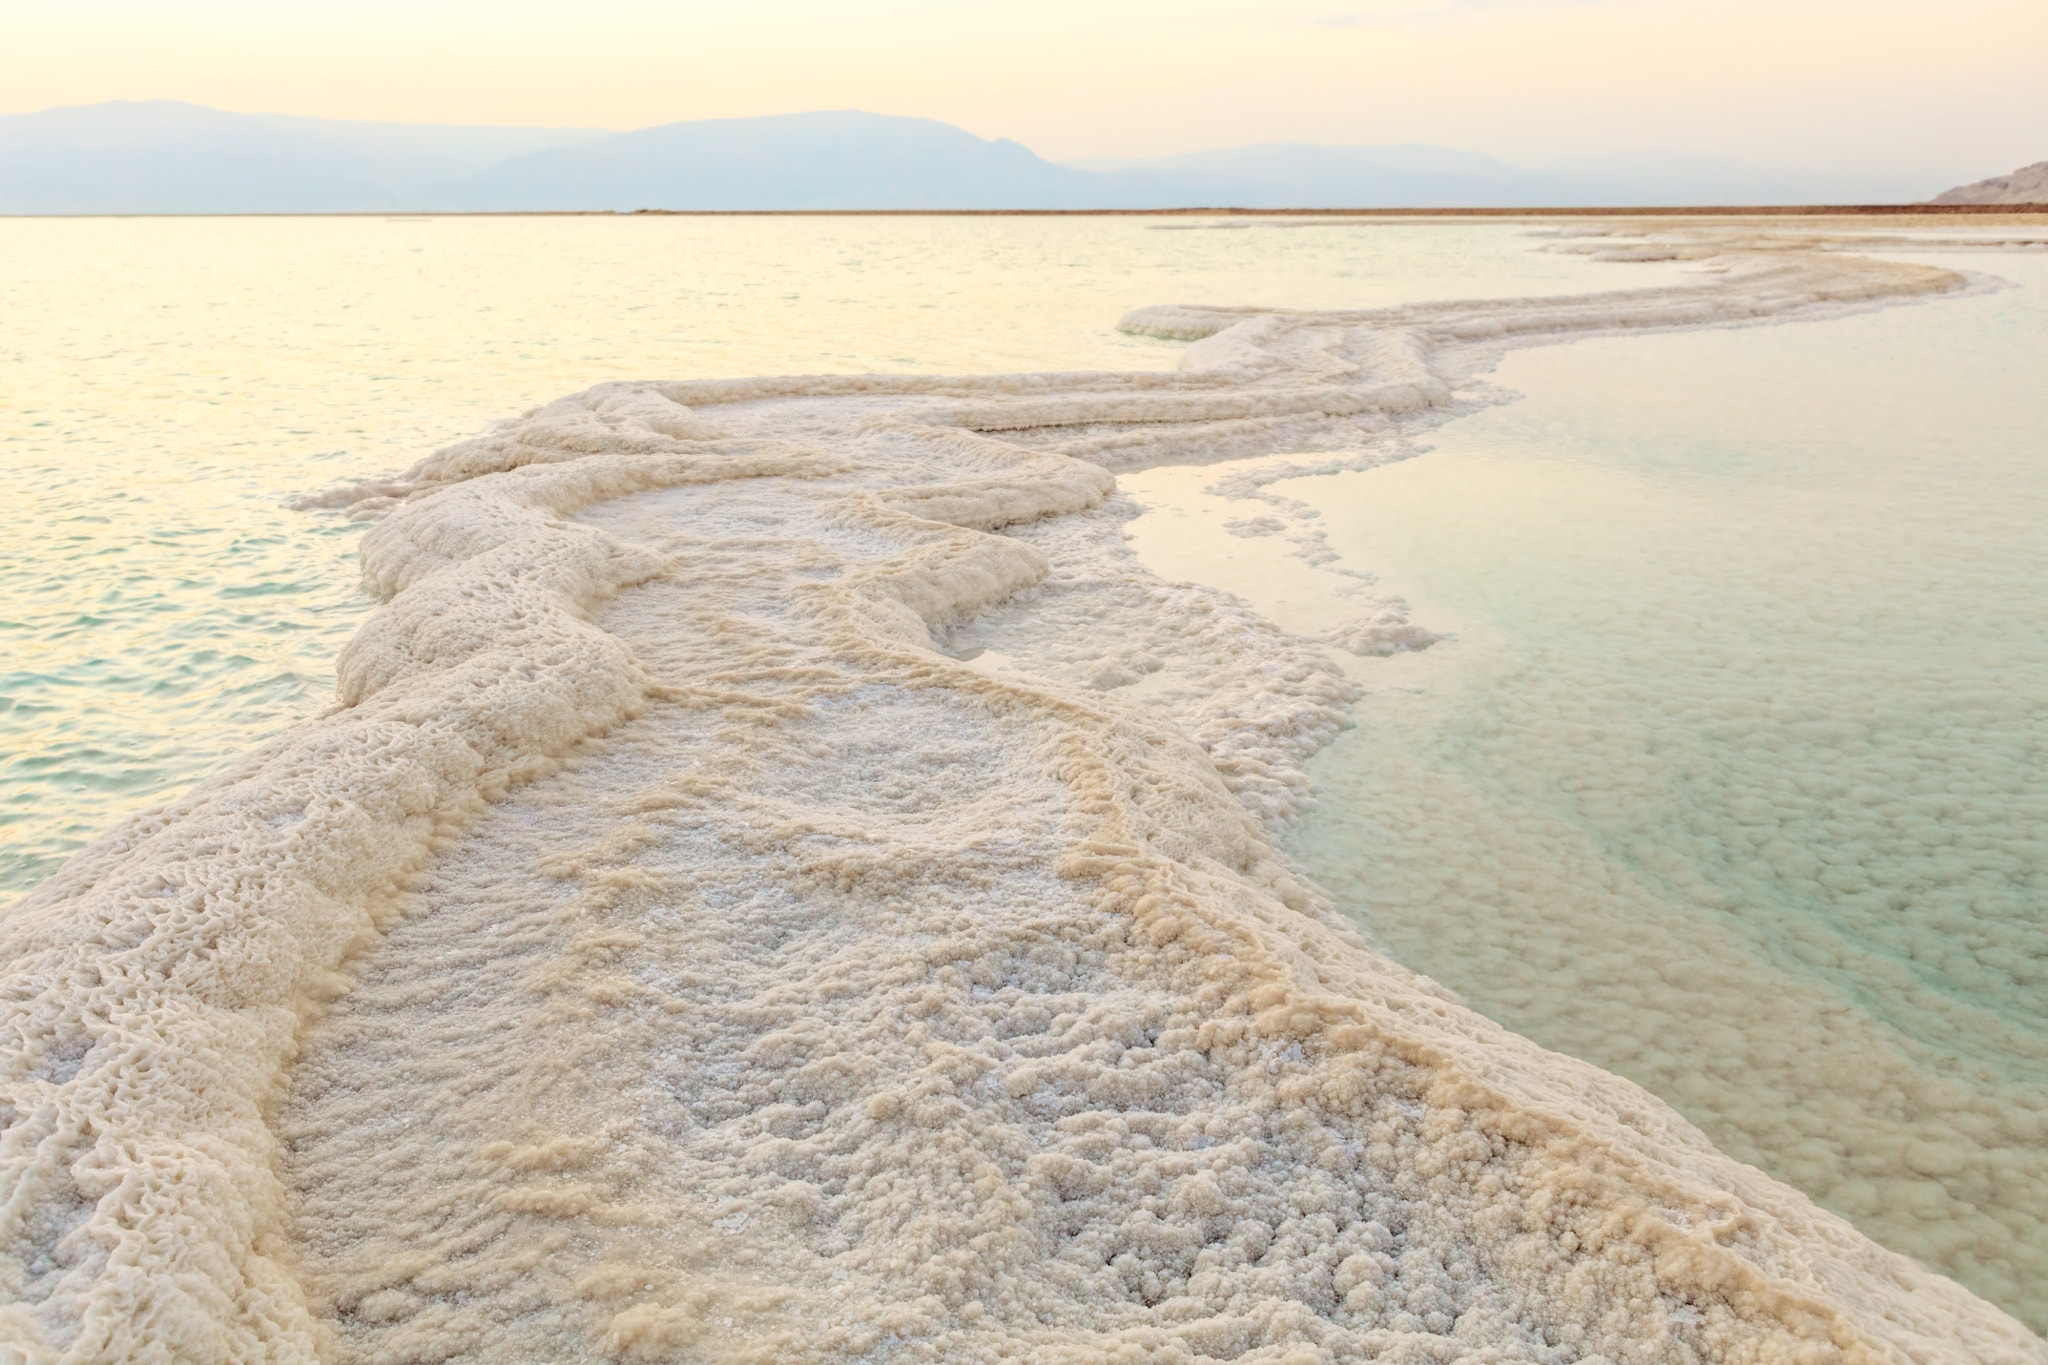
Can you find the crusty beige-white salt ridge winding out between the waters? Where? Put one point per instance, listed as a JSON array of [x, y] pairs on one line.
[[665, 953]]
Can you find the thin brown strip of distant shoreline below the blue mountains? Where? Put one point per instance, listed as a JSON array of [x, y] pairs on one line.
[[1734, 212]]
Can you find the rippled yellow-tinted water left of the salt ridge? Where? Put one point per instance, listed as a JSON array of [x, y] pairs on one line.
[[175, 382]]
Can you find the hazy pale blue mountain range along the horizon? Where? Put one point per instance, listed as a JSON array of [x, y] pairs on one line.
[[163, 157]]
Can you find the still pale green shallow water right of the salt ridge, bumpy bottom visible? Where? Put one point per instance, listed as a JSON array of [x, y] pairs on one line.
[[1734, 777]]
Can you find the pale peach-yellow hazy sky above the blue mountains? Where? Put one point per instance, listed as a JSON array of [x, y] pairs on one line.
[[1947, 87]]
